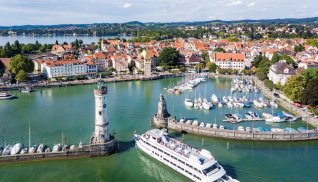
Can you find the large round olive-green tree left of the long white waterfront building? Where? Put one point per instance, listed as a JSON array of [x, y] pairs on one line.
[[20, 62]]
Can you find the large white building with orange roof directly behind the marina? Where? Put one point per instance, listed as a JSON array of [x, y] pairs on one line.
[[228, 60]]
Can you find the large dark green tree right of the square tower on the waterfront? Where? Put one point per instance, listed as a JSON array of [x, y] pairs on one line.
[[169, 57]]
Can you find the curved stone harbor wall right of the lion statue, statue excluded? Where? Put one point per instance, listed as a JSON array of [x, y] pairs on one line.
[[242, 135]]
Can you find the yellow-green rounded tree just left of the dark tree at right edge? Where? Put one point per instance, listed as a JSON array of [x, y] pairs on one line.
[[294, 88]]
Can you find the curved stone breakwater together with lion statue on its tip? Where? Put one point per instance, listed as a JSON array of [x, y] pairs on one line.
[[162, 119]]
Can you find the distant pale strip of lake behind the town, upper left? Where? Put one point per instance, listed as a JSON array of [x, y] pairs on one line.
[[52, 39]]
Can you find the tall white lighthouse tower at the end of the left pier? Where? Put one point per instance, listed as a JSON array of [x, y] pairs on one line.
[[101, 134]]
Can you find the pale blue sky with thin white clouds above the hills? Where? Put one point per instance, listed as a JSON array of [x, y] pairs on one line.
[[22, 12]]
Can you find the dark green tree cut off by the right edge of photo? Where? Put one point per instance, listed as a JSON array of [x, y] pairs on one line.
[[310, 95]]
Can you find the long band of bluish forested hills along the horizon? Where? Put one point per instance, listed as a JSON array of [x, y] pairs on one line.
[[132, 28]]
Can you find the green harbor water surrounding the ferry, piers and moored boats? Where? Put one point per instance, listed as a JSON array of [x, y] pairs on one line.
[[130, 107]]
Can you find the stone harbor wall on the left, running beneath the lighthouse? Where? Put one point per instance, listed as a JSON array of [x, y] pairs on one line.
[[85, 151]]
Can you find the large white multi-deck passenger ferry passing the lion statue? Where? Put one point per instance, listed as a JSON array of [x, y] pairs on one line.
[[195, 164]]
